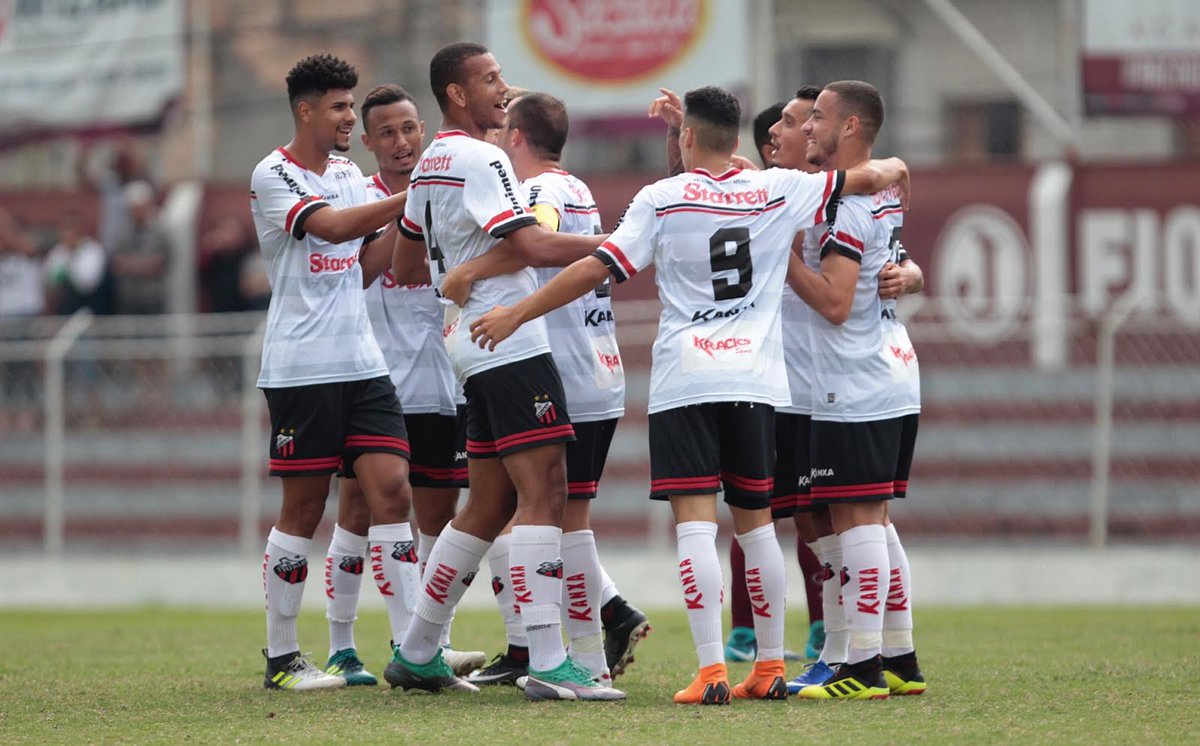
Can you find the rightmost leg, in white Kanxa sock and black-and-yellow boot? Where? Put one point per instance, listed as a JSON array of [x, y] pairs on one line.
[[901, 667]]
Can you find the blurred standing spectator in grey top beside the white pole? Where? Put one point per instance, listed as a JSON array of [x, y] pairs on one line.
[[140, 257]]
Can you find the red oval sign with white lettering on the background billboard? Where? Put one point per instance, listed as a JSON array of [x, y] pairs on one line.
[[613, 43]]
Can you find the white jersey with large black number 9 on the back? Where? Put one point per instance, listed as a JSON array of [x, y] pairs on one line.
[[721, 245]]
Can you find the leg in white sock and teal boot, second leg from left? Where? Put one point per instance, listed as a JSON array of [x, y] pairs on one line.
[[344, 582]]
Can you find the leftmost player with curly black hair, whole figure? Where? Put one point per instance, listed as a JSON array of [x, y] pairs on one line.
[[331, 401]]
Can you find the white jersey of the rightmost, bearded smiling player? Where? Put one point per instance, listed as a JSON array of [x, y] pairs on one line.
[[866, 369]]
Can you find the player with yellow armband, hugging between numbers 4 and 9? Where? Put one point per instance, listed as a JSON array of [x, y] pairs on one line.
[[583, 336]]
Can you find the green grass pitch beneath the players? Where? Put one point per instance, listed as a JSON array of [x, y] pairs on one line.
[[1034, 676]]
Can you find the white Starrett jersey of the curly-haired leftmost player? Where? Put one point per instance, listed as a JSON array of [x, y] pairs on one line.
[[317, 326]]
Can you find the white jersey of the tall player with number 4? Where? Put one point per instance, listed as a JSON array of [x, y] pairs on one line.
[[463, 200]]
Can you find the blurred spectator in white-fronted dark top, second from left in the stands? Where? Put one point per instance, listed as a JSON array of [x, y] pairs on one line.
[[77, 272]]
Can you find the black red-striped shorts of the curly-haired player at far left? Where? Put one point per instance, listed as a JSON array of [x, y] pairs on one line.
[[322, 429]]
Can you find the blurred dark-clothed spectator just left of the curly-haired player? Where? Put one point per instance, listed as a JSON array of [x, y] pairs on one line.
[[232, 274]]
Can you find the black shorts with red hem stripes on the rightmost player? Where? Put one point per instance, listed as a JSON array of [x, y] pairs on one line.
[[862, 462]]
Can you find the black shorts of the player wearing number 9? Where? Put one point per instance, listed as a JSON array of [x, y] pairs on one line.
[[701, 448]]
